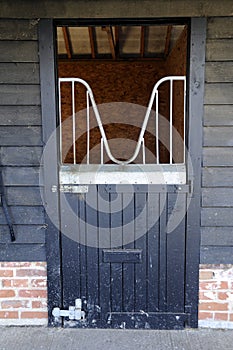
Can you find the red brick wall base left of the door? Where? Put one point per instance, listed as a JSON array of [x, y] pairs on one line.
[[23, 293]]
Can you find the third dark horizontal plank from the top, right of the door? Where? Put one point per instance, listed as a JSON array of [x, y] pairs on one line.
[[219, 72]]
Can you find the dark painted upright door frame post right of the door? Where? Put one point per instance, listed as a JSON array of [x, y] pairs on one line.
[[196, 96]]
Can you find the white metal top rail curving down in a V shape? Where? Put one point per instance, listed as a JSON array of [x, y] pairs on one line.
[[144, 124]]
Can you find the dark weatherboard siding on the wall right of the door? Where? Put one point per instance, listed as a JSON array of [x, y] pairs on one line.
[[217, 172]]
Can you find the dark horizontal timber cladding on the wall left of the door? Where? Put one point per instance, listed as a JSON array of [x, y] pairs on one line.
[[21, 142]]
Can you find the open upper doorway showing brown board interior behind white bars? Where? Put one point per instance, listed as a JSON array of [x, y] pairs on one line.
[[122, 65]]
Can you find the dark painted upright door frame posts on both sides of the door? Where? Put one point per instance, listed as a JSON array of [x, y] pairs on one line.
[[50, 164]]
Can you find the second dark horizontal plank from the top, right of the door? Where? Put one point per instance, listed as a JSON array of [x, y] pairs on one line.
[[219, 50]]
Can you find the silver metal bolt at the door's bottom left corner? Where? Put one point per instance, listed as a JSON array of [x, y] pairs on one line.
[[74, 312]]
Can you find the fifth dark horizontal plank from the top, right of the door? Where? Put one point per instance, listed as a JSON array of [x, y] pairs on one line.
[[217, 115]]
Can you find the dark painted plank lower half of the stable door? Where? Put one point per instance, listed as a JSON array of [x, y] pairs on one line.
[[114, 258]]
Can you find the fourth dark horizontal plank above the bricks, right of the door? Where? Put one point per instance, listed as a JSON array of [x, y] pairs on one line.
[[217, 197]]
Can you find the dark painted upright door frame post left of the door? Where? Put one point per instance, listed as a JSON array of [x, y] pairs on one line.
[[50, 163]]
